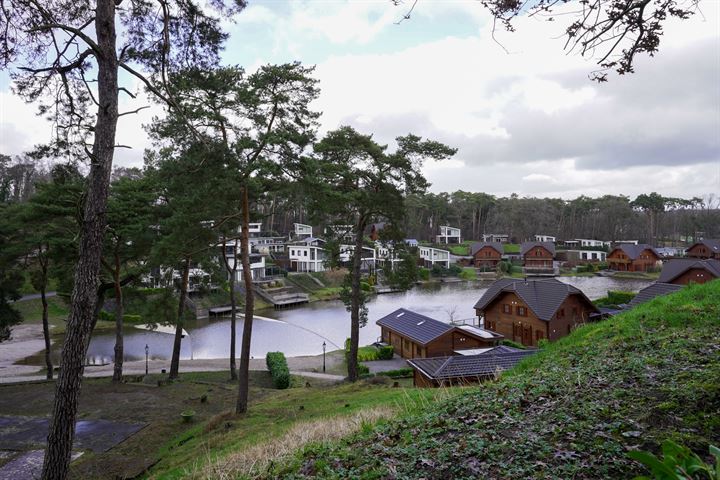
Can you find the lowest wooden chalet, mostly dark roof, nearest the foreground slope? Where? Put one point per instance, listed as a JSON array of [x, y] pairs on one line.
[[465, 369]]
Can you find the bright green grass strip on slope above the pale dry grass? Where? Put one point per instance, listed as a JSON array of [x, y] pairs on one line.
[[272, 417]]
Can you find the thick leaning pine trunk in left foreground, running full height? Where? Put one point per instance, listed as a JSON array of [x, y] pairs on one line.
[[84, 295]]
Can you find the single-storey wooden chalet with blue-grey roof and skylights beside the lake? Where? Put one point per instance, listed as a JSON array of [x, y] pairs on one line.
[[414, 335]]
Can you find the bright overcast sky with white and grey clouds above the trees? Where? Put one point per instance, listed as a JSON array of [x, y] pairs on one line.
[[528, 121]]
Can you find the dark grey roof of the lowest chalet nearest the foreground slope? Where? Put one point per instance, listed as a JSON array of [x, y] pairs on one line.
[[469, 366]]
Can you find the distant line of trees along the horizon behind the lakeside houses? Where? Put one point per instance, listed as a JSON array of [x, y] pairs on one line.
[[648, 218]]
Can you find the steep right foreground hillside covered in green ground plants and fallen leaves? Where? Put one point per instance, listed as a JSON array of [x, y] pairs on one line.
[[572, 411]]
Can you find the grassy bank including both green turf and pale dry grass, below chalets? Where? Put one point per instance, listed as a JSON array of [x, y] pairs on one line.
[[227, 446]]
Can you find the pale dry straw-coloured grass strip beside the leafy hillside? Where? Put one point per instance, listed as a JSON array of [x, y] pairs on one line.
[[252, 461]]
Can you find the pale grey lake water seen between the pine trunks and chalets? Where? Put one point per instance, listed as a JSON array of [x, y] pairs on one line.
[[302, 330]]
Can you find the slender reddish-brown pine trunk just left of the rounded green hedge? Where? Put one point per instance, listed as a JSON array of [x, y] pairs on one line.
[[244, 373]]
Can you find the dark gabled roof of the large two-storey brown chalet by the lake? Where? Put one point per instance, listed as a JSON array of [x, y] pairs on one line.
[[543, 297]]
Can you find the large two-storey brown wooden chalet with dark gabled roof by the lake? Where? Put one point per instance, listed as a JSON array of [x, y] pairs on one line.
[[527, 311]]
